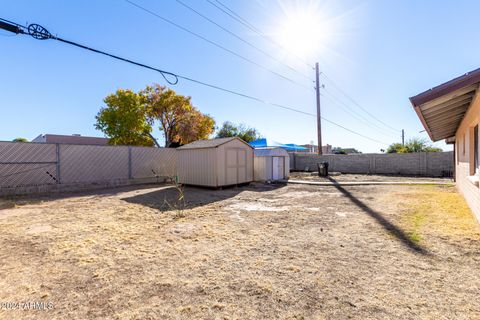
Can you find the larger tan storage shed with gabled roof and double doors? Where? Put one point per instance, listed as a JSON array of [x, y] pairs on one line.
[[215, 163]]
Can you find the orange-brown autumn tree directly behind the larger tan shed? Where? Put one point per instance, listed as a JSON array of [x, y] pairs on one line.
[[179, 120]]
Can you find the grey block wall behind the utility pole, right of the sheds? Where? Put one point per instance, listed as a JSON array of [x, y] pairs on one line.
[[431, 164]]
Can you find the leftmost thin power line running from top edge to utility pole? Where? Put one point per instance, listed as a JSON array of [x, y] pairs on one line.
[[216, 44]]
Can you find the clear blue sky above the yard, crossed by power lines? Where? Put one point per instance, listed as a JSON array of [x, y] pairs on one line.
[[378, 52]]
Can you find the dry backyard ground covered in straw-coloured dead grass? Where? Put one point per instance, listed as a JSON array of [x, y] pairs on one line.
[[256, 252]]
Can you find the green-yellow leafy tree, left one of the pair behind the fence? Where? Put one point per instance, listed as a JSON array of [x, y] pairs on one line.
[[124, 119]]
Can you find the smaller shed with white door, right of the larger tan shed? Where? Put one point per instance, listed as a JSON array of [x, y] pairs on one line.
[[271, 164]]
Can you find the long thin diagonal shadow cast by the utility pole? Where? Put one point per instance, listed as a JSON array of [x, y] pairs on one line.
[[380, 219]]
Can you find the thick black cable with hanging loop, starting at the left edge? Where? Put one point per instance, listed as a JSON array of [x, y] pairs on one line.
[[40, 33]]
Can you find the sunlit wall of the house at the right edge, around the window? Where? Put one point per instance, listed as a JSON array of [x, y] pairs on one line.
[[464, 157]]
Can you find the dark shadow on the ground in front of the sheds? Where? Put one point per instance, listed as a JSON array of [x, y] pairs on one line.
[[170, 198]]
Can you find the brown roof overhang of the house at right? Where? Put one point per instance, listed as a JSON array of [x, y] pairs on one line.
[[442, 108]]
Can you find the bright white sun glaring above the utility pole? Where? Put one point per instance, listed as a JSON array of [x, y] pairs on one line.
[[302, 33]]
